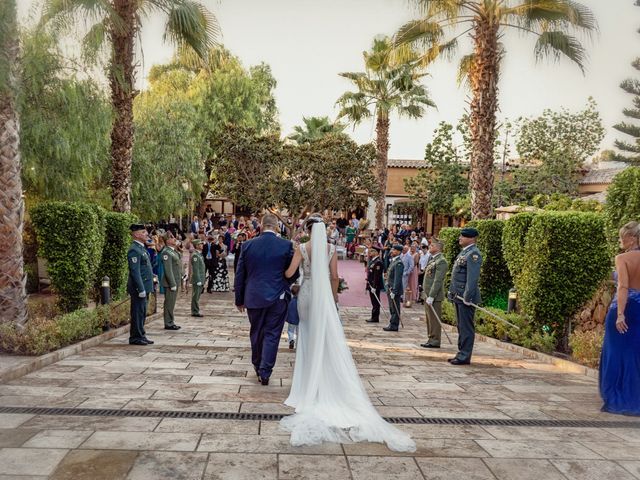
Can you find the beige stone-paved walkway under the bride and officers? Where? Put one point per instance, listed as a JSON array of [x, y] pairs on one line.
[[206, 367]]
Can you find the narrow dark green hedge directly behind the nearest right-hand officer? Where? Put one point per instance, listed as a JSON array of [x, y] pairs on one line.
[[495, 279]]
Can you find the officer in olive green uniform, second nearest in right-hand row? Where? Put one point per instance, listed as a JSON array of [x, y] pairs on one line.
[[433, 290]]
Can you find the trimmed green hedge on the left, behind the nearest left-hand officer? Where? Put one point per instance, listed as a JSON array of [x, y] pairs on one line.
[[82, 243]]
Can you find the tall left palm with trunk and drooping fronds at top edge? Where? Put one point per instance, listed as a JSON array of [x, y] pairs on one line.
[[118, 22]]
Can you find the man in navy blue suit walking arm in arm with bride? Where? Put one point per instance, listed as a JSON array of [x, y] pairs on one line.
[[262, 289]]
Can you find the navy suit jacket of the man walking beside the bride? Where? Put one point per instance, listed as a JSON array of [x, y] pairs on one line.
[[260, 279]]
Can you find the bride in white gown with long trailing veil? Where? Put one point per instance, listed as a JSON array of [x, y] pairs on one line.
[[331, 404]]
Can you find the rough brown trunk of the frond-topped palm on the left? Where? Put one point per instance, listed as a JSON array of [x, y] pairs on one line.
[[121, 81]]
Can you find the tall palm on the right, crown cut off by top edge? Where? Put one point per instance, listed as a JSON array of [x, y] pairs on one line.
[[486, 22]]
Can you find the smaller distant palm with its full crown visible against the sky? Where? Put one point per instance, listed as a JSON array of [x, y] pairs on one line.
[[387, 86]]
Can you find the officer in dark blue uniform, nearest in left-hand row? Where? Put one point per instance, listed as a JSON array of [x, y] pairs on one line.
[[139, 284]]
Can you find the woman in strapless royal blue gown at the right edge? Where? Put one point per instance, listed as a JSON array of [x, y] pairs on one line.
[[620, 358]]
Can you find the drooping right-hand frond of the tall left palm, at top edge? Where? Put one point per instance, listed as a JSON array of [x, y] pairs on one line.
[[190, 23]]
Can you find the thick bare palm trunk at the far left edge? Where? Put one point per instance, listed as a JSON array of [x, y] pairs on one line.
[[13, 300]]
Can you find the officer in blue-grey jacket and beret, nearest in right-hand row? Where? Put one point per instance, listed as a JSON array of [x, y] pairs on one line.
[[464, 283]]
